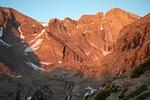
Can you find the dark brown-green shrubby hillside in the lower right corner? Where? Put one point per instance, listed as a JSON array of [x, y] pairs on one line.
[[125, 87]]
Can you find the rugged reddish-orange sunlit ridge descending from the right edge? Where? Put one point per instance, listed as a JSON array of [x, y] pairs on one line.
[[132, 48]]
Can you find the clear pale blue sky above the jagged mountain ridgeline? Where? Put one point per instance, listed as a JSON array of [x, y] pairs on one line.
[[43, 10]]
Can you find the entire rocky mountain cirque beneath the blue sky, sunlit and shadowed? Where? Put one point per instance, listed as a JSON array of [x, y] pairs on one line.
[[65, 59]]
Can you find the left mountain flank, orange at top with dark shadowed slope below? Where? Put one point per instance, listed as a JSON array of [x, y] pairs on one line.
[[16, 30]]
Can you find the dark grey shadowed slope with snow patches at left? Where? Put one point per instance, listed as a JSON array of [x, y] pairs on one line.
[[12, 52]]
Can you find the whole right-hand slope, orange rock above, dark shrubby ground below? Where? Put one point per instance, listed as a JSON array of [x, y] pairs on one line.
[[127, 68]]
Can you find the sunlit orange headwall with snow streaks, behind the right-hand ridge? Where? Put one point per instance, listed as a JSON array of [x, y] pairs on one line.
[[82, 41]]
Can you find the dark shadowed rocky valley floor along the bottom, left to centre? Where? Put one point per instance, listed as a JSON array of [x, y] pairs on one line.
[[59, 84]]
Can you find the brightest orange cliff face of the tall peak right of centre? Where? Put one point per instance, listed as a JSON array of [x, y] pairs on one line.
[[103, 29]]
